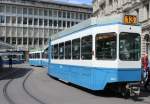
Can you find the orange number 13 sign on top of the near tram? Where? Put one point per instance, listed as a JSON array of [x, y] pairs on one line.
[[129, 19]]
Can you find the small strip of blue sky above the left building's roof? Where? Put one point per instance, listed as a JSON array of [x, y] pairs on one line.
[[77, 1]]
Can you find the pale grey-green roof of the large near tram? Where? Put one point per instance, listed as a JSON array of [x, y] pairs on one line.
[[108, 20]]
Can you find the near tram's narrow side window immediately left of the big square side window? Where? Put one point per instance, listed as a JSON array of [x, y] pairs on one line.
[[86, 47]]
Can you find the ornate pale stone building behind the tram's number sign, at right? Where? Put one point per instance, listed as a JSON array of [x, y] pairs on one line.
[[140, 8]]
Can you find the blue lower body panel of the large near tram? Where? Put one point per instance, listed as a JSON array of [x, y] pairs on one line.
[[93, 78]]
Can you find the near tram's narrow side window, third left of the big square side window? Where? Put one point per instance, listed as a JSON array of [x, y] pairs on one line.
[[68, 50]]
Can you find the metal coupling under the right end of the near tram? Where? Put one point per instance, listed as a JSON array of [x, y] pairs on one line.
[[133, 89]]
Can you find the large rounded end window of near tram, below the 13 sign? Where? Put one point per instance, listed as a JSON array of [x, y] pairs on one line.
[[129, 46]]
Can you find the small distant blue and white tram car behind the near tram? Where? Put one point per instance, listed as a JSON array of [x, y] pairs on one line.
[[35, 58]]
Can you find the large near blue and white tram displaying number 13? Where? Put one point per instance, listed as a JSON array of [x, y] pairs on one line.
[[97, 54]]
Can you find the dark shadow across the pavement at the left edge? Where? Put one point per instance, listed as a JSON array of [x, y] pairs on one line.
[[7, 73]]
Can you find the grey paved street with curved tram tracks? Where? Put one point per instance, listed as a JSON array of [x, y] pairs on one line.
[[32, 85]]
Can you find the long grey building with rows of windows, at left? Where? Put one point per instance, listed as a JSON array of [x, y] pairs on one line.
[[27, 24]]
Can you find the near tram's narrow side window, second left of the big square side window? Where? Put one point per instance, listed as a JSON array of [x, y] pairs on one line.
[[76, 48]]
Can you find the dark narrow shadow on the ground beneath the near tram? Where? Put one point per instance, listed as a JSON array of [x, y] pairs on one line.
[[110, 93]]
